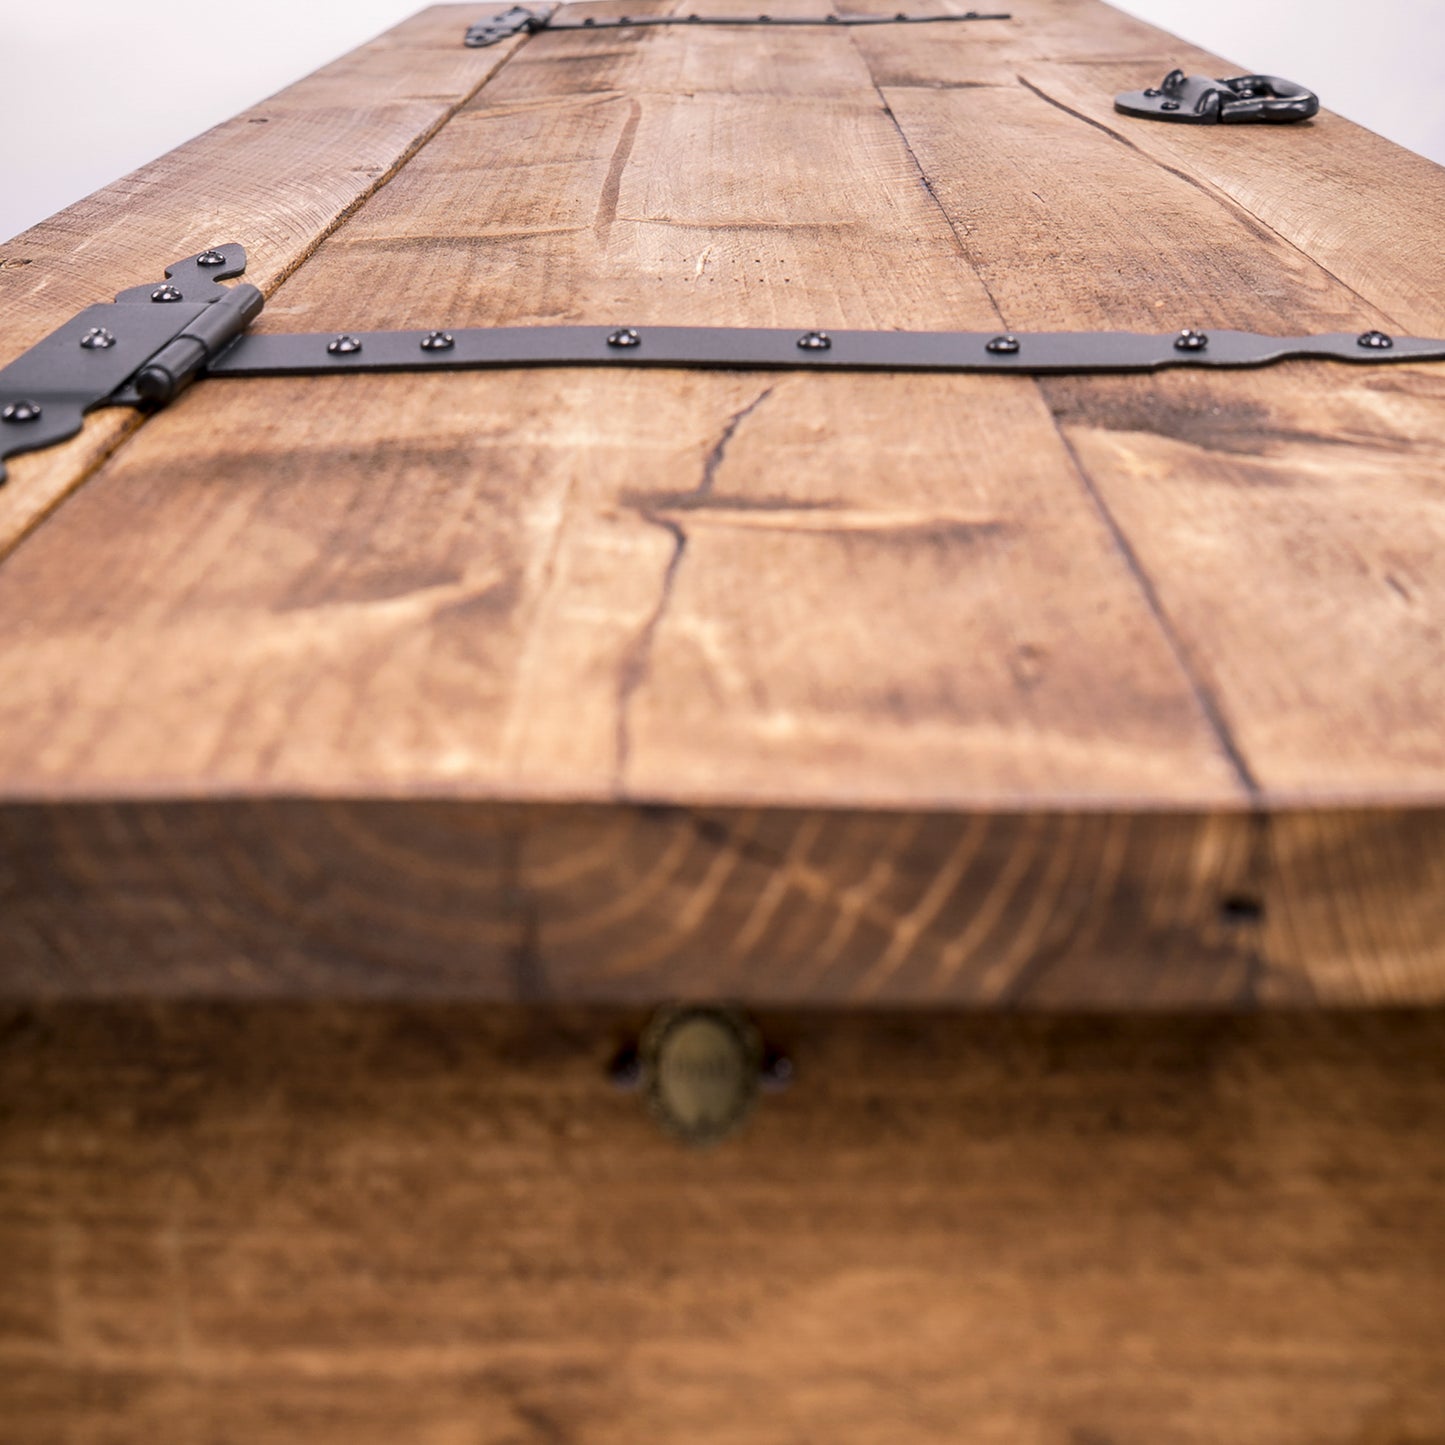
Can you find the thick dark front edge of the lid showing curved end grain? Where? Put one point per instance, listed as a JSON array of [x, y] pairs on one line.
[[622, 905]]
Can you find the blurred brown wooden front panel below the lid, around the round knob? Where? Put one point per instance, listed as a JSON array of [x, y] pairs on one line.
[[436, 1225]]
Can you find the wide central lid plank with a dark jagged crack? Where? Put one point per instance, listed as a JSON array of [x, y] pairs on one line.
[[530, 585]]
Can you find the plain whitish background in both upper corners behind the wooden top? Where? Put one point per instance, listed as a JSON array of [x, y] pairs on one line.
[[93, 89]]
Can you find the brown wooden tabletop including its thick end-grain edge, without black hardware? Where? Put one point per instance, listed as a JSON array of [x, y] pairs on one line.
[[1070, 618]]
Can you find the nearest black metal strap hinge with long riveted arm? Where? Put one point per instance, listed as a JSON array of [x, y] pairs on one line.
[[154, 342]]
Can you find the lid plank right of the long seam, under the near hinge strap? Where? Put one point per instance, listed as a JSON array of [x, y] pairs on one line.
[[1287, 522]]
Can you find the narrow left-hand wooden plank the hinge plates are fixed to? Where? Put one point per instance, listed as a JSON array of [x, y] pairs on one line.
[[280, 176]]
